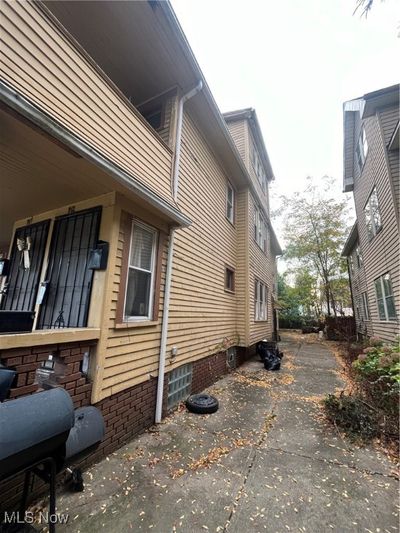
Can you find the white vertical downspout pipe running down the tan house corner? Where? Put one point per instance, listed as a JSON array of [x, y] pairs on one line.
[[168, 274]]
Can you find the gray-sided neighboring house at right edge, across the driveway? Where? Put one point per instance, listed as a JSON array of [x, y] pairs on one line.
[[371, 171]]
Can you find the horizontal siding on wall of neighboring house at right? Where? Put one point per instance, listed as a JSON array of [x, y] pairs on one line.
[[381, 254]]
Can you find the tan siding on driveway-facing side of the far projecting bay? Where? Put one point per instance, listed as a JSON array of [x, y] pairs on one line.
[[261, 267]]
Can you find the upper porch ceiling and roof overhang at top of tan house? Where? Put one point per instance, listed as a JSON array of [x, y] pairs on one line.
[[142, 49]]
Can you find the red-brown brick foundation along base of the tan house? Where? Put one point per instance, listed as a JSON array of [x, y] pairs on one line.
[[126, 414]]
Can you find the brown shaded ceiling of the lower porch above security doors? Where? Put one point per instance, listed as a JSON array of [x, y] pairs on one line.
[[38, 175]]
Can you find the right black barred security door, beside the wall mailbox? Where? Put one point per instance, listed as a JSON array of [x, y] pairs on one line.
[[69, 281]]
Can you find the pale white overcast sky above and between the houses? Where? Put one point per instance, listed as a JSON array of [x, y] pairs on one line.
[[295, 62]]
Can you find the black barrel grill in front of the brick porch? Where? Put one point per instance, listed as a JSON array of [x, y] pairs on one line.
[[42, 434]]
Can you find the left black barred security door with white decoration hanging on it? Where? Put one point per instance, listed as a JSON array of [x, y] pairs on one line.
[[25, 266]]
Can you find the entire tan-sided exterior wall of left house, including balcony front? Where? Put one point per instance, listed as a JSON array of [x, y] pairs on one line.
[[41, 63]]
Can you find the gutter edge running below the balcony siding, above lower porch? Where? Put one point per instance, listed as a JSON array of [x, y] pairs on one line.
[[44, 121]]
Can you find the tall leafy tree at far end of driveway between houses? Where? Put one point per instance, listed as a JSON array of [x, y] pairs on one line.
[[315, 231]]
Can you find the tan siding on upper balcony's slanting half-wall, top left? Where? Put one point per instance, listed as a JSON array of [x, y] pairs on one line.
[[41, 63]]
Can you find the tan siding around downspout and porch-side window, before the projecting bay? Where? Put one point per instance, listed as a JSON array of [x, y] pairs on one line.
[[202, 313]]
